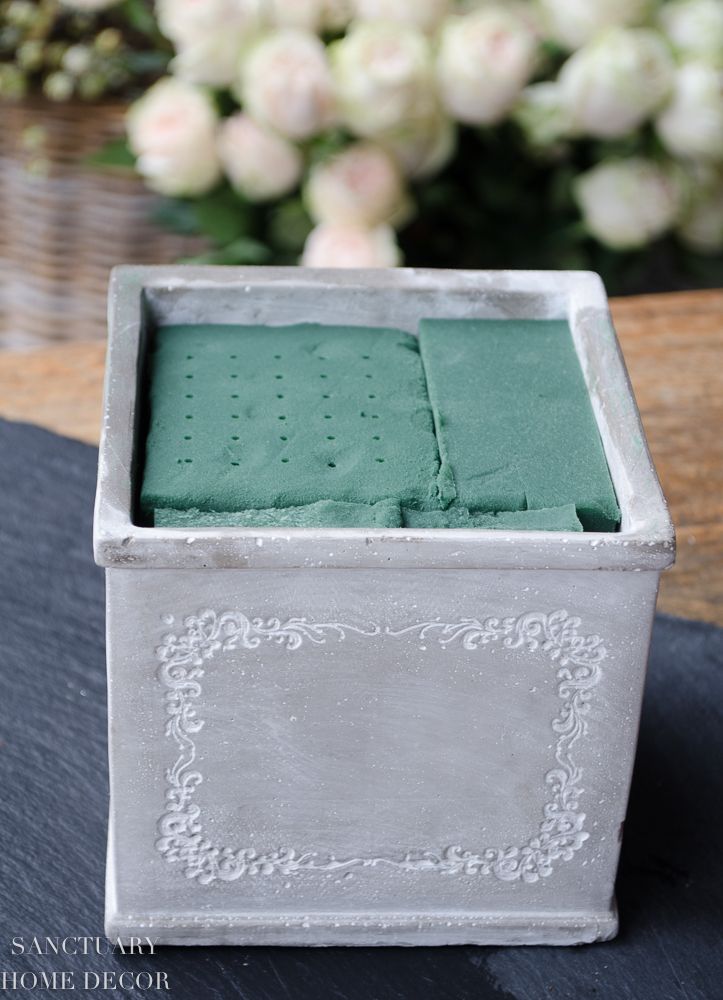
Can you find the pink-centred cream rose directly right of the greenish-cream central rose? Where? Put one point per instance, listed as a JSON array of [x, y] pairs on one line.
[[485, 58]]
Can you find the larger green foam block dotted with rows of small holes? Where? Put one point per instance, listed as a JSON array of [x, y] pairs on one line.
[[257, 418]]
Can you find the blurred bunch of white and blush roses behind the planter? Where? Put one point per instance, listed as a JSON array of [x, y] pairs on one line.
[[525, 133]]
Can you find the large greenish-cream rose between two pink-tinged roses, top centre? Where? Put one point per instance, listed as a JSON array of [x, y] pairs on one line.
[[383, 77]]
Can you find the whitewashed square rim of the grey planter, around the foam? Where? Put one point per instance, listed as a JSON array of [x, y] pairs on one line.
[[646, 541]]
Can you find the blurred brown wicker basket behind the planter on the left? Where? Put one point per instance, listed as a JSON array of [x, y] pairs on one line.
[[63, 224]]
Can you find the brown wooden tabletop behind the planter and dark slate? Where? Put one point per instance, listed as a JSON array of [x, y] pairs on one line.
[[673, 345]]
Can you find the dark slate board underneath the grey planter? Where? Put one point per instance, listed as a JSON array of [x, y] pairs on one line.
[[53, 800]]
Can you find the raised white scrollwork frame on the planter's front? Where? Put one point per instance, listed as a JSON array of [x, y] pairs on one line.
[[576, 659]]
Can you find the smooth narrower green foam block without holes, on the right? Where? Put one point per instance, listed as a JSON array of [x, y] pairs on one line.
[[514, 421]]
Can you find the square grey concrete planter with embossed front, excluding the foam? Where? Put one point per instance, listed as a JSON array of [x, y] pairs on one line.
[[371, 736]]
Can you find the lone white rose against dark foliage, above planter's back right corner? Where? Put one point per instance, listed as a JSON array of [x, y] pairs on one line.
[[628, 203]]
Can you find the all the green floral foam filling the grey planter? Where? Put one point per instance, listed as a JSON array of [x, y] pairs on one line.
[[478, 424]]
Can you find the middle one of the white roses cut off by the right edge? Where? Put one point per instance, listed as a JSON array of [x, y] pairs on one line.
[[692, 124]]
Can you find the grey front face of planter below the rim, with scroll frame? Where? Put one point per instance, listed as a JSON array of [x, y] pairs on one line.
[[345, 756]]
